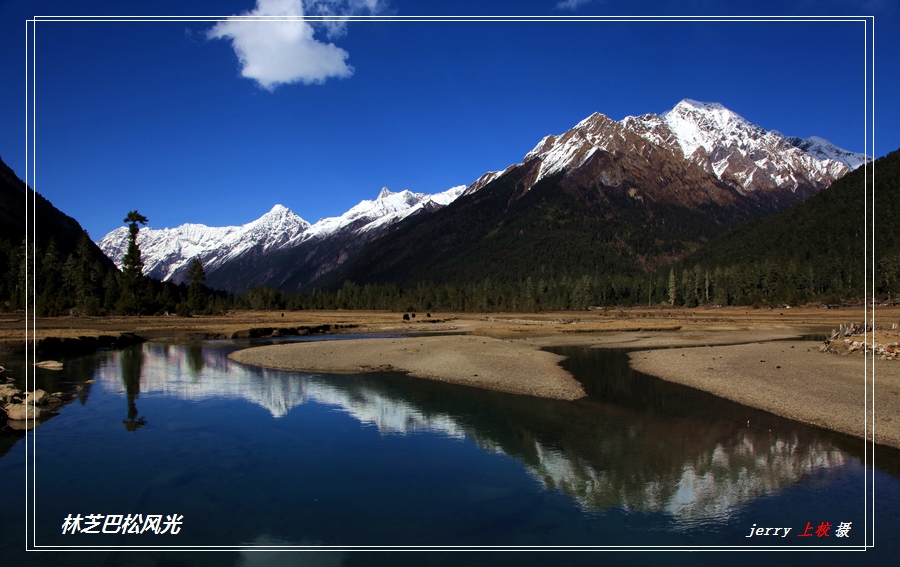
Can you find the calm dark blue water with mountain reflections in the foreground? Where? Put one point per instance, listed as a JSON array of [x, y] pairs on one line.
[[253, 457]]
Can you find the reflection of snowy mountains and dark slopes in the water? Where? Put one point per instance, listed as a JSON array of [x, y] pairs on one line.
[[637, 444]]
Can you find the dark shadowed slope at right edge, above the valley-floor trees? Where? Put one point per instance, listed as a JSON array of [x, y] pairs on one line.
[[823, 238]]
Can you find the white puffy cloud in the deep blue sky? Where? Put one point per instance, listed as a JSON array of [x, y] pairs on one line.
[[284, 51]]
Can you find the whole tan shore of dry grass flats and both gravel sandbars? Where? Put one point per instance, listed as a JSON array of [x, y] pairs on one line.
[[721, 347]]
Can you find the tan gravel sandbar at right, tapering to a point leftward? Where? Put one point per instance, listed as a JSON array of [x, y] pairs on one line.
[[793, 380]]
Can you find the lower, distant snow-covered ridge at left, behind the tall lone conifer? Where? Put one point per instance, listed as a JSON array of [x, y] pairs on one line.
[[167, 253]]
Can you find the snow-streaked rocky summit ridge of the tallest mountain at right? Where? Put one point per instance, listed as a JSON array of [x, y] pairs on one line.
[[720, 141]]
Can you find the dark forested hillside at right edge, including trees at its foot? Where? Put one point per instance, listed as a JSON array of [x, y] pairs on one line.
[[816, 249]]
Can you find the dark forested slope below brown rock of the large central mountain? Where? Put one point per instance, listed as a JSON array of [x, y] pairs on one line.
[[556, 228]]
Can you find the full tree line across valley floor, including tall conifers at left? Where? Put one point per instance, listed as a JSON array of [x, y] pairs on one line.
[[78, 285]]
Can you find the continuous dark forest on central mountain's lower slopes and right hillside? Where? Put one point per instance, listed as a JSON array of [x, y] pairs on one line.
[[561, 246]]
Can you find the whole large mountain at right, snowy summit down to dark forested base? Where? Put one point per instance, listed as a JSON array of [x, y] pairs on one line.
[[604, 197]]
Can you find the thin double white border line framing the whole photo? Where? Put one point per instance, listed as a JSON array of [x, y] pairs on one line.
[[750, 19]]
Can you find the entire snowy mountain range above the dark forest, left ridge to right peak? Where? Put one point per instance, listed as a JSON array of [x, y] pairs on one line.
[[699, 158]]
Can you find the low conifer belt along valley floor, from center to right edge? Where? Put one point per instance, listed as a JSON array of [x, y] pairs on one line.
[[759, 283]]
